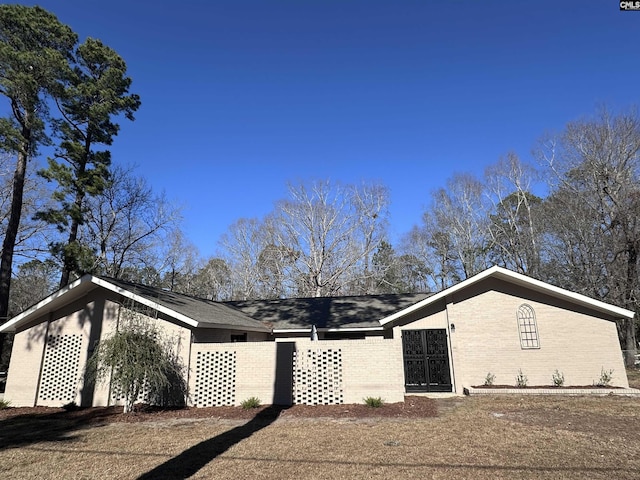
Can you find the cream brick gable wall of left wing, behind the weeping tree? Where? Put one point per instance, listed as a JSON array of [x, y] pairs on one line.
[[59, 347]]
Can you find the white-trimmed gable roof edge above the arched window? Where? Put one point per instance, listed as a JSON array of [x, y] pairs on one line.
[[521, 280]]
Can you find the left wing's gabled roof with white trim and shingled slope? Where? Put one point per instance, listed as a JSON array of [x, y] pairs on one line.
[[191, 311]]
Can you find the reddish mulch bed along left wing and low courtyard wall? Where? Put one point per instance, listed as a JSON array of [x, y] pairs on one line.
[[412, 407]]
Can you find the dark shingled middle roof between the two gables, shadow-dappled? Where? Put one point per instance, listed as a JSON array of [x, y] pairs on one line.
[[327, 312]]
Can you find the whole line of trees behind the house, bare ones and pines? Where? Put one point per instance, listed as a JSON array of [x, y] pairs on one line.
[[569, 217]]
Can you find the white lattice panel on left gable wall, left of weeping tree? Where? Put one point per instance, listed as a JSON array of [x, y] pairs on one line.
[[60, 369]]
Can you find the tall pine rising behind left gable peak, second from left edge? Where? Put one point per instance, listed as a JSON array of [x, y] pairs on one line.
[[95, 94]]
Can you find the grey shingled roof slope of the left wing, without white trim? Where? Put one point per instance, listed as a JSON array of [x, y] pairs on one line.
[[201, 310]]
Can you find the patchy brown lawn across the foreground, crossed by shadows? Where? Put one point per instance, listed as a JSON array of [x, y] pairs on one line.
[[476, 437]]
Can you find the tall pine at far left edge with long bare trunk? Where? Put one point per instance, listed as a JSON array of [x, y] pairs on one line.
[[35, 49]]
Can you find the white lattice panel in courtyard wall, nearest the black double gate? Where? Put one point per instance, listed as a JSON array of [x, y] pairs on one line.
[[317, 378]]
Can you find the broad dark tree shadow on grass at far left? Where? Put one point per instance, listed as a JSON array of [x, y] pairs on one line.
[[57, 426]]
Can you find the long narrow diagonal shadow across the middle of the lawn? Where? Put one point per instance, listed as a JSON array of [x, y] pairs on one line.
[[193, 459]]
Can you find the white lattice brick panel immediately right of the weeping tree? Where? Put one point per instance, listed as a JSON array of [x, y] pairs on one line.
[[215, 379]]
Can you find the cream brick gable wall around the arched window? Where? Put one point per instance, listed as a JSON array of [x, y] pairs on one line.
[[574, 340]]
